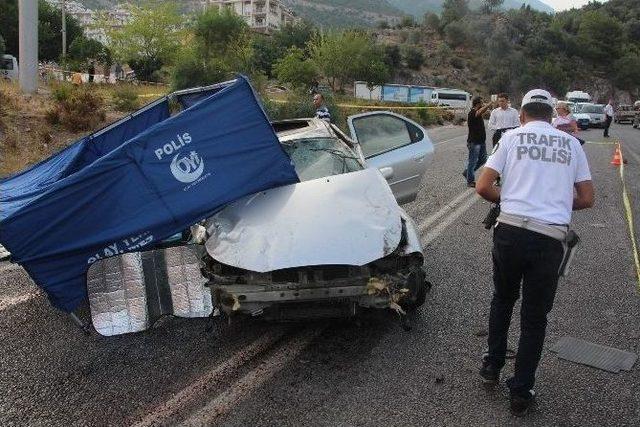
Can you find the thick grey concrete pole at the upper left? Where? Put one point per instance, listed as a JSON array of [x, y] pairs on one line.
[[28, 45]]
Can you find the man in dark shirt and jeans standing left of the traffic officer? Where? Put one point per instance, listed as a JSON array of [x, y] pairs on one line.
[[476, 140]]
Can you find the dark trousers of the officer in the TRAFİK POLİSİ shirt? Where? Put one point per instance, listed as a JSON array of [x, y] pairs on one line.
[[531, 260]]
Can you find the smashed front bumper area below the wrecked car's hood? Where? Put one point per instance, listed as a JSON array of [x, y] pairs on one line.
[[329, 291]]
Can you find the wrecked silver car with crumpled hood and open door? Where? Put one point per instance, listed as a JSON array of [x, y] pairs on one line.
[[337, 241]]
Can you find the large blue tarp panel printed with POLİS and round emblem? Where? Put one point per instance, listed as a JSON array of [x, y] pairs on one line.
[[156, 184]]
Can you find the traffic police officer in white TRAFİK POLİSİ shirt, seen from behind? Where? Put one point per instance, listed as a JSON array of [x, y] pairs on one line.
[[540, 167]]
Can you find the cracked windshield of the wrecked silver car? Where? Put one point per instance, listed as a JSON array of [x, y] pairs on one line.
[[318, 157]]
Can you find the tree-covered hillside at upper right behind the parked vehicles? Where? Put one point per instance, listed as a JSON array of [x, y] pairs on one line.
[[596, 48]]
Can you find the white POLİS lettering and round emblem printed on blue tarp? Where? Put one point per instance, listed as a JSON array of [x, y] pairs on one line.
[[185, 167]]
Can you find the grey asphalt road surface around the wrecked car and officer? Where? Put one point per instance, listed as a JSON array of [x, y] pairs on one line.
[[350, 373]]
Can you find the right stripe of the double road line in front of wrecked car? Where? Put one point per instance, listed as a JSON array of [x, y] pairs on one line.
[[252, 381]]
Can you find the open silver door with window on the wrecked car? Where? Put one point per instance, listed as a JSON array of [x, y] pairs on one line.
[[397, 146]]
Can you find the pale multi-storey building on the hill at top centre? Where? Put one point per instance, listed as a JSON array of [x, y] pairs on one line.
[[264, 16]]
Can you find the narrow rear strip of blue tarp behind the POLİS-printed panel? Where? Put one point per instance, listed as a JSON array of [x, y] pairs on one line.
[[19, 189]]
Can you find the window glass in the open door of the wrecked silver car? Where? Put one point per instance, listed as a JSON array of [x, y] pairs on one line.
[[380, 133]]
